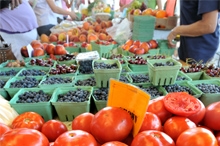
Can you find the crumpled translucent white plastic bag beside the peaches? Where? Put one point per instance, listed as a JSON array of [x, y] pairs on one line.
[[120, 32]]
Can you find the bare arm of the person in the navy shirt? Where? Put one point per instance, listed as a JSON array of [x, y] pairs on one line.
[[205, 26]]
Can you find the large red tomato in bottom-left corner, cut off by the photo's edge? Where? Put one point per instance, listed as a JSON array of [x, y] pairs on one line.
[[23, 137]]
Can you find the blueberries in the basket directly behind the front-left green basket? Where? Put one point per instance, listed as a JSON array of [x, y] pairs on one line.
[[26, 82]]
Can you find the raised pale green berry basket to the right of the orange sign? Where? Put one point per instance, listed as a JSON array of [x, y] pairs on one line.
[[163, 75]]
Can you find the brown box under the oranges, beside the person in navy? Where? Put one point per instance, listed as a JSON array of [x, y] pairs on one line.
[[166, 23]]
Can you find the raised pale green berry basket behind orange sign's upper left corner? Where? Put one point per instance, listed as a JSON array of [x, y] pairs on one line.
[[102, 76]]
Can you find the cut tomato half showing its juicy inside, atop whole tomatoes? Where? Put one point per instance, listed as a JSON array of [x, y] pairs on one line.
[[181, 104]]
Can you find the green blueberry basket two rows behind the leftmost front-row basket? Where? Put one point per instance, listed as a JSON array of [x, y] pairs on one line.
[[44, 70]]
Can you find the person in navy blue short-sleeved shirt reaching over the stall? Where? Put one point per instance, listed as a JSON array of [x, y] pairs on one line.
[[198, 30]]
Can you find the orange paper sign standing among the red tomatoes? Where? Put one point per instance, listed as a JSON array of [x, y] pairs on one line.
[[130, 98]]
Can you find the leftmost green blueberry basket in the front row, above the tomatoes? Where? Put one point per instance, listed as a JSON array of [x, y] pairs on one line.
[[45, 109]]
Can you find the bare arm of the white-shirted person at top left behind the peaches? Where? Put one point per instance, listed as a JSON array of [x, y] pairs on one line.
[[59, 10]]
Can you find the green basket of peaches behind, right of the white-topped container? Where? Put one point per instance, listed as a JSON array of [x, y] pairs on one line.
[[103, 50]]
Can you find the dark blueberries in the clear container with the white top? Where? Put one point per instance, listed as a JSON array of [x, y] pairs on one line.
[[85, 67]]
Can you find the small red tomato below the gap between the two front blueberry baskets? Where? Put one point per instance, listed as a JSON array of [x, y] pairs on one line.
[[53, 129]]
